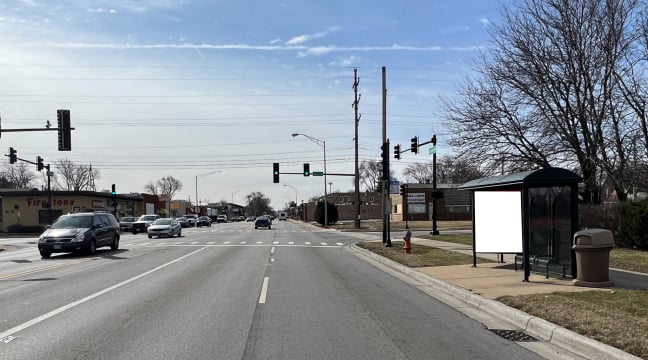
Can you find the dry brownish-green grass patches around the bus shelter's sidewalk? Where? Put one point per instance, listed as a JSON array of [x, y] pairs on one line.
[[618, 318]]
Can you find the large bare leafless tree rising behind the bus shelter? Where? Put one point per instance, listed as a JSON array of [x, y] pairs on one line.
[[547, 93]]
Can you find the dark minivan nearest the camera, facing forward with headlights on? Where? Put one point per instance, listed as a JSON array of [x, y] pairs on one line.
[[80, 232]]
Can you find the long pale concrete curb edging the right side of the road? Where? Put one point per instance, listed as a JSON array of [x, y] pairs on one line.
[[535, 326]]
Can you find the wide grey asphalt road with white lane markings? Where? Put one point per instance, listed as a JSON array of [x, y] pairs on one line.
[[227, 292]]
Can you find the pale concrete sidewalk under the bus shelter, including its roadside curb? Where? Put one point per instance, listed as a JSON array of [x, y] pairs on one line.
[[472, 290]]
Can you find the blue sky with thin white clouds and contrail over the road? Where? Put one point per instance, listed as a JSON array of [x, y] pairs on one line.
[[209, 92]]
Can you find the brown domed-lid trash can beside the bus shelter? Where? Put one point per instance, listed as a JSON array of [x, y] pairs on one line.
[[592, 248]]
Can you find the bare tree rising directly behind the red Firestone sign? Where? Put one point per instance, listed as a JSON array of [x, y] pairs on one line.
[[75, 177]]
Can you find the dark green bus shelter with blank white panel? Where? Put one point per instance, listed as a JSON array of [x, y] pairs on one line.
[[532, 214]]
